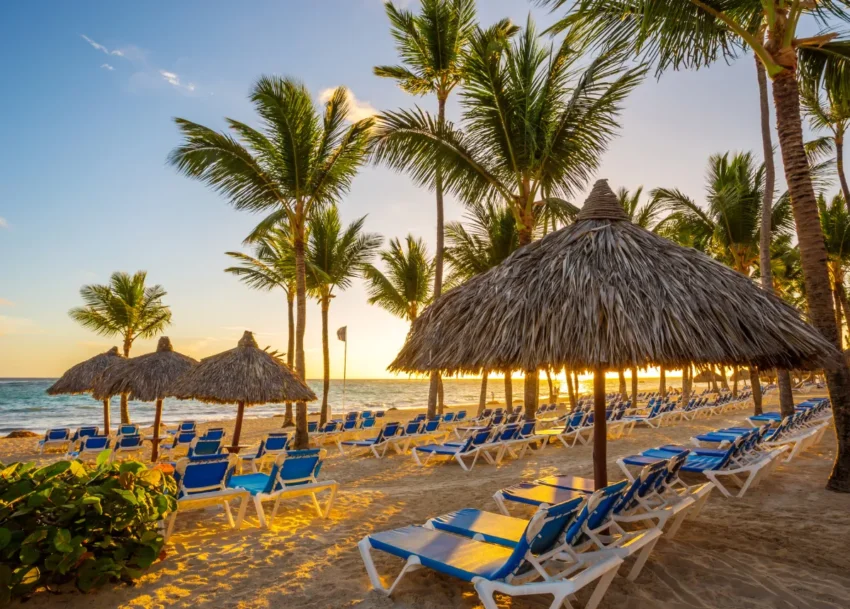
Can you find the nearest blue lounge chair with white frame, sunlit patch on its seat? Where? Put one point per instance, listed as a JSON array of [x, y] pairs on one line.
[[493, 568]]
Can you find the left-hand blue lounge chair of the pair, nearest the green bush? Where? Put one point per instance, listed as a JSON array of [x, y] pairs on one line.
[[202, 482]]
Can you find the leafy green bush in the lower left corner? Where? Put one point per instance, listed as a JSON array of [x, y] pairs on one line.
[[86, 524]]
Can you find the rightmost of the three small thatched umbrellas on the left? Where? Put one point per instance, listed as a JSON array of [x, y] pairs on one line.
[[246, 375]]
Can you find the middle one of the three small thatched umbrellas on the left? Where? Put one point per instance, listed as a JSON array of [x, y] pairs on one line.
[[145, 378]]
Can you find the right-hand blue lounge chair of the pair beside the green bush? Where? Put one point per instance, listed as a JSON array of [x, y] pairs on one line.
[[294, 474]]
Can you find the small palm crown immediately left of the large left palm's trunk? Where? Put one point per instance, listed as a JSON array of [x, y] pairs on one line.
[[272, 265]]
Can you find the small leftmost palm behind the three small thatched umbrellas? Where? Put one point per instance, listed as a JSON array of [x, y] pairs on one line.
[[125, 307]]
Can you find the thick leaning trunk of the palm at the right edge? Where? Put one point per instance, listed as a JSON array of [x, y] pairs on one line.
[[786, 97]]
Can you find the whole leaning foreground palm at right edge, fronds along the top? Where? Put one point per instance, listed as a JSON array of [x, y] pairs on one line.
[[693, 33]]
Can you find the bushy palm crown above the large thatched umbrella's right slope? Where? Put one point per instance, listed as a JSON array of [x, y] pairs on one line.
[[729, 225]]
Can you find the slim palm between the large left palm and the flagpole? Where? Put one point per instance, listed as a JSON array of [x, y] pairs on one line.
[[334, 257]]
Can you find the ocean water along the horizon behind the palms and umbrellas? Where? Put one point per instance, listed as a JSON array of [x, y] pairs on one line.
[[25, 405]]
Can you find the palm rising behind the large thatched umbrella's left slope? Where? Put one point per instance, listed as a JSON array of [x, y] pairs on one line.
[[484, 242]]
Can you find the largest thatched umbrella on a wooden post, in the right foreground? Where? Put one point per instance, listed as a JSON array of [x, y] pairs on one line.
[[603, 294]]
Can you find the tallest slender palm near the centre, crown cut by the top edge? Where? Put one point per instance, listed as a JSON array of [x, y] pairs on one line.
[[431, 47]]
